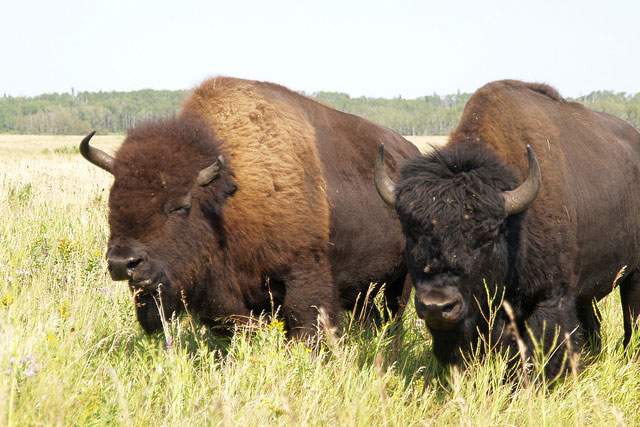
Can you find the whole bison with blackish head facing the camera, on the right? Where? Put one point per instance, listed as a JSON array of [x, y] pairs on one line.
[[549, 234]]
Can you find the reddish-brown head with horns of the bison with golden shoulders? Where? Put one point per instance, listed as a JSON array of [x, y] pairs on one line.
[[165, 213]]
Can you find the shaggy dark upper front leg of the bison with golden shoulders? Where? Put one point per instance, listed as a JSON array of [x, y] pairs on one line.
[[310, 301]]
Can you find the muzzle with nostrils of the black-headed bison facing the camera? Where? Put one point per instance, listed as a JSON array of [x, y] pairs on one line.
[[441, 308]]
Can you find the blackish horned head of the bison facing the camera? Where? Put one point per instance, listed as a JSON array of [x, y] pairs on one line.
[[459, 219]]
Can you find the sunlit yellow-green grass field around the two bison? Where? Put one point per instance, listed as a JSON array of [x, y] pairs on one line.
[[71, 352]]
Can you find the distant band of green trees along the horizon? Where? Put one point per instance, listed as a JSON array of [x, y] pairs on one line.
[[114, 112]]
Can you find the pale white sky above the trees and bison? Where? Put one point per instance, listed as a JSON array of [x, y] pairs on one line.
[[373, 48]]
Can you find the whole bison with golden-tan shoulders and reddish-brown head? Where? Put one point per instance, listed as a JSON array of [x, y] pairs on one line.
[[253, 198]]
